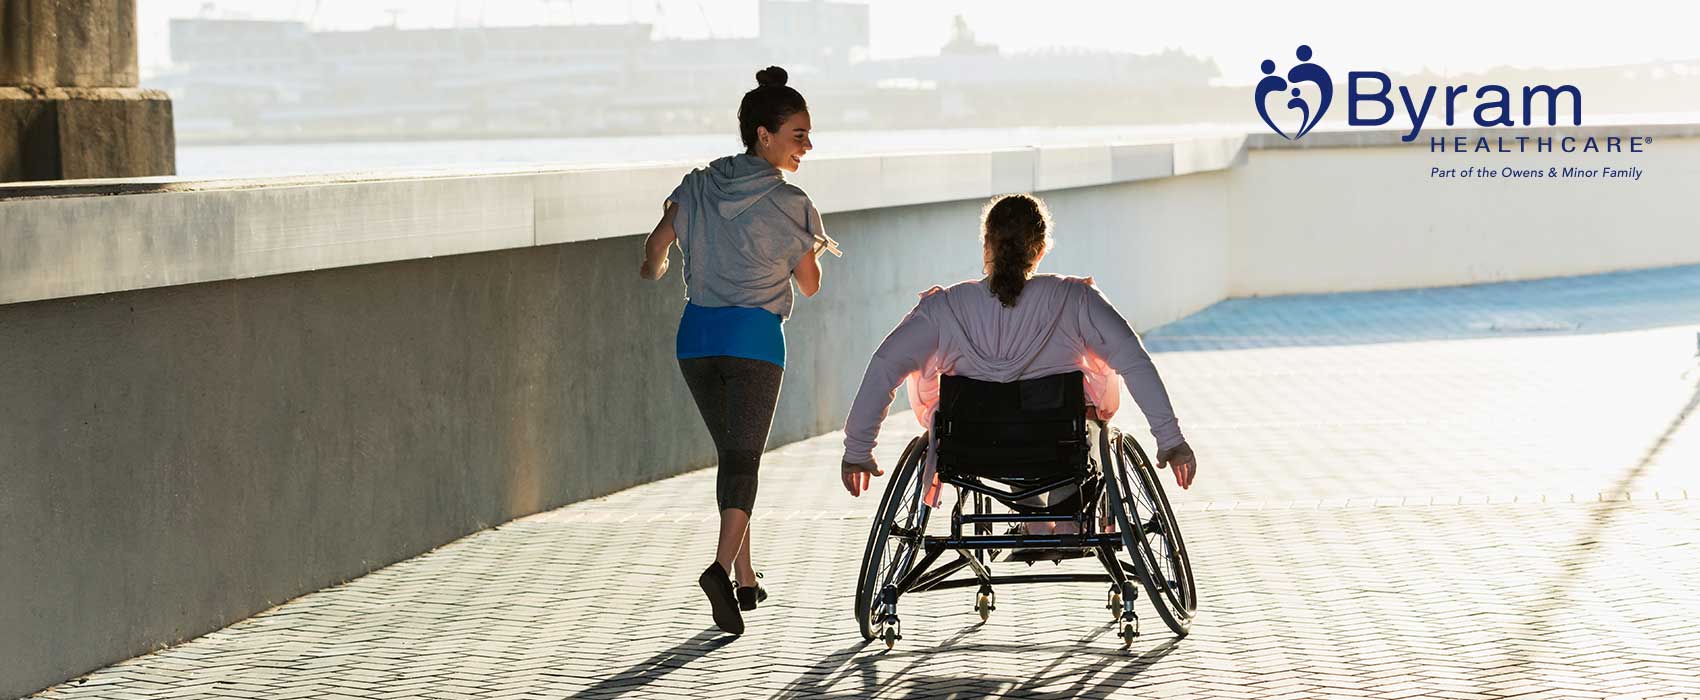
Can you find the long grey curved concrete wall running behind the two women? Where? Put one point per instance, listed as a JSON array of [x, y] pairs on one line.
[[181, 458]]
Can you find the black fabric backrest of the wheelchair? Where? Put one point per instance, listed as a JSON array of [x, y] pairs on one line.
[[1028, 427]]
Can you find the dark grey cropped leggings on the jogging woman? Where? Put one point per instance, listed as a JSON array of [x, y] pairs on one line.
[[737, 400]]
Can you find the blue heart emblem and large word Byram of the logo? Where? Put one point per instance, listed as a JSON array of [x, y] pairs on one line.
[[1371, 101]]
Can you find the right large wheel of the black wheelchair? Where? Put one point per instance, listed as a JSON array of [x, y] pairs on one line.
[[1150, 534]]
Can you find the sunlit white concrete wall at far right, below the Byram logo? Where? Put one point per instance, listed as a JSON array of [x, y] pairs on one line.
[[1369, 217]]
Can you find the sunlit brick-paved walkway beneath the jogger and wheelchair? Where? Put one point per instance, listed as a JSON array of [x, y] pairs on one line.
[[1463, 494]]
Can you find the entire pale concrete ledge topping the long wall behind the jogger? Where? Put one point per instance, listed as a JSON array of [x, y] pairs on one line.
[[98, 237]]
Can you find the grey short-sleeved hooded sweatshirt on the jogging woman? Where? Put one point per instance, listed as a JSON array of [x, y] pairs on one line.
[[744, 229]]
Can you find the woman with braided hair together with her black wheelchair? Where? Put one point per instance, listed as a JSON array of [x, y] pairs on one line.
[[975, 353]]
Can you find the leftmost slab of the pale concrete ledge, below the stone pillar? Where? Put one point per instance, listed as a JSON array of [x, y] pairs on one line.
[[82, 246]]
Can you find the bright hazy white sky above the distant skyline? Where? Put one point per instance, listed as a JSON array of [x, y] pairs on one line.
[[1439, 35]]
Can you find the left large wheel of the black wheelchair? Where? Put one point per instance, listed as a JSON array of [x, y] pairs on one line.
[[893, 543]]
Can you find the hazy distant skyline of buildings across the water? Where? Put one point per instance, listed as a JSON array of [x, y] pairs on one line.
[[244, 81]]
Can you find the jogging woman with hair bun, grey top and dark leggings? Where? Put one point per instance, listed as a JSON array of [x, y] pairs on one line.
[[745, 235]]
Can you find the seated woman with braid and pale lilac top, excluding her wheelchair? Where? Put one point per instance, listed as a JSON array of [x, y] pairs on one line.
[[1012, 325]]
